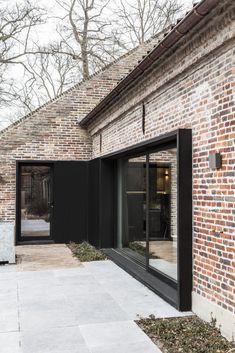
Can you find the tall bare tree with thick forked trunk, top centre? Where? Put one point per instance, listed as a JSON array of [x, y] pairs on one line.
[[87, 35]]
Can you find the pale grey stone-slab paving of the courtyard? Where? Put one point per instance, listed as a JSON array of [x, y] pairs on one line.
[[84, 308]]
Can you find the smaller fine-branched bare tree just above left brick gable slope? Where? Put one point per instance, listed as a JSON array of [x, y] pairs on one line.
[[52, 75]]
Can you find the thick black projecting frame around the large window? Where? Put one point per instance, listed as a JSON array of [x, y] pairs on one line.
[[182, 140]]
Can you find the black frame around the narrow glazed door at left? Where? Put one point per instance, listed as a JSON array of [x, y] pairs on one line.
[[19, 164]]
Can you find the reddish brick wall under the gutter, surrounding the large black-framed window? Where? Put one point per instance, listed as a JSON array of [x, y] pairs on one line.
[[192, 87]]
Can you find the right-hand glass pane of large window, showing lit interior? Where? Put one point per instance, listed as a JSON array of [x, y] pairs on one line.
[[163, 212]]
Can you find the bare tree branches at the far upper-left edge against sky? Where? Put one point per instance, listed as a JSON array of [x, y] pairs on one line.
[[17, 21]]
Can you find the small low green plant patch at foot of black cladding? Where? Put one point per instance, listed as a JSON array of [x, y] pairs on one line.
[[86, 252]]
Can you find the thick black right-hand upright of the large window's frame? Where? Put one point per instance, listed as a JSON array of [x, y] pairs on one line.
[[184, 218]]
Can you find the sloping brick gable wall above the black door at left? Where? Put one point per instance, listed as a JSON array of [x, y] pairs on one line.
[[52, 132]]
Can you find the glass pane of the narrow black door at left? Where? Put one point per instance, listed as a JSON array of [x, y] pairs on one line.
[[35, 201]]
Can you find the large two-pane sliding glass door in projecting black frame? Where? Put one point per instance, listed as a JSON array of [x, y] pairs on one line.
[[154, 241]]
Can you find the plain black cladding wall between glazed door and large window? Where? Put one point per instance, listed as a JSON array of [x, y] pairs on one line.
[[84, 202]]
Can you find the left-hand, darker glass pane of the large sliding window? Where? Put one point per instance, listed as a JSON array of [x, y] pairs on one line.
[[132, 207]]
